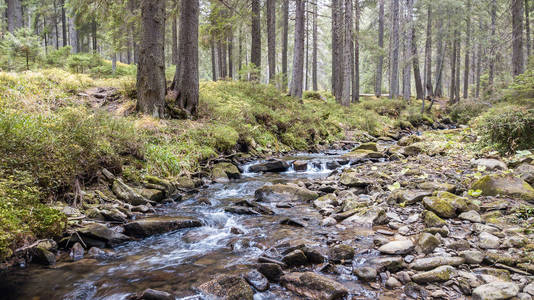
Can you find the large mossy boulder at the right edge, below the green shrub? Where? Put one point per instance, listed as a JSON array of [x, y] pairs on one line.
[[504, 185]]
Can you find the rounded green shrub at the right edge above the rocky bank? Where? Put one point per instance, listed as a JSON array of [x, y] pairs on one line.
[[507, 129]]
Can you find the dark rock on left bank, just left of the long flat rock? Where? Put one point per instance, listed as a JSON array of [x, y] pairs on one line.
[[98, 235]]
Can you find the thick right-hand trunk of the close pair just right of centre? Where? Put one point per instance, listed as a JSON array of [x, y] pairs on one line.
[[347, 54]]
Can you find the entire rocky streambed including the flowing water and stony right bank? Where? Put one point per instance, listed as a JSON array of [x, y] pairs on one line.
[[387, 220]]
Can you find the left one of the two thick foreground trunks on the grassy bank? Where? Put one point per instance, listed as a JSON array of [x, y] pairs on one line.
[[151, 67]]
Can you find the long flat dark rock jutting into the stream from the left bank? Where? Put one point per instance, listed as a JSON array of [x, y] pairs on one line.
[[156, 225]]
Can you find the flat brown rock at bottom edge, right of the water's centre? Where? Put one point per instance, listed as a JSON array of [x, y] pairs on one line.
[[314, 286]]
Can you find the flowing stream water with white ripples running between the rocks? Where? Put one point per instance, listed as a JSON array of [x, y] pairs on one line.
[[180, 261]]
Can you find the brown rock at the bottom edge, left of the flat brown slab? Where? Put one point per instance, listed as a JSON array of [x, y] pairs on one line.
[[228, 287]]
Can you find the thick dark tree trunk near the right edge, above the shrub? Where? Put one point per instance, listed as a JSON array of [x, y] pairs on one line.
[[517, 32]]
